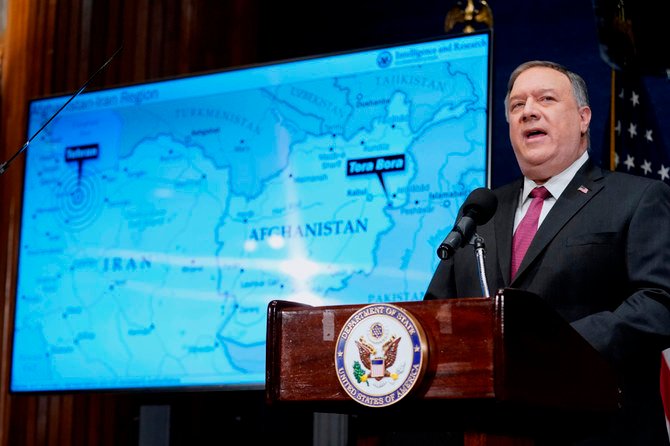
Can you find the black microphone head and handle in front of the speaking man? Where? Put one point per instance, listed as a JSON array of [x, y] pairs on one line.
[[478, 208]]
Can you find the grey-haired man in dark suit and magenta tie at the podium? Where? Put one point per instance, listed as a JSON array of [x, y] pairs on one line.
[[601, 253]]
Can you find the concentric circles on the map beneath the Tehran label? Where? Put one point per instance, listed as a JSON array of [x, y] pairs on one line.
[[79, 201]]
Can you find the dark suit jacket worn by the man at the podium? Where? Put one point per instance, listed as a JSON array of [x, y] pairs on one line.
[[601, 258]]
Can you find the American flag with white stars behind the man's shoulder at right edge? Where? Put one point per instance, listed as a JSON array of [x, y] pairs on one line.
[[636, 147]]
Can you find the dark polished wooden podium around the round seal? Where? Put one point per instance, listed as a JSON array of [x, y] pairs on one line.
[[505, 370]]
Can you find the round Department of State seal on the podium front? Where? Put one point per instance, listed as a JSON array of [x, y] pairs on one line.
[[381, 353]]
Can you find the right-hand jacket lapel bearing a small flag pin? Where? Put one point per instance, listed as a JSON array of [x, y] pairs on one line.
[[583, 187]]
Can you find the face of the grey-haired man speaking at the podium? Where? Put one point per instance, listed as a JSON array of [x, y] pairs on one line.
[[546, 127]]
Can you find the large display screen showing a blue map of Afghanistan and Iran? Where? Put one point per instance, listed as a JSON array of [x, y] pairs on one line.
[[159, 219]]
